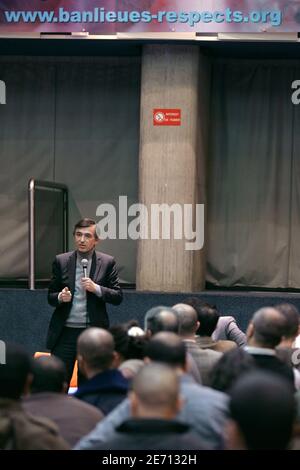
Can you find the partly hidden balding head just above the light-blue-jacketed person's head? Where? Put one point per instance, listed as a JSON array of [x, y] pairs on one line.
[[161, 319]]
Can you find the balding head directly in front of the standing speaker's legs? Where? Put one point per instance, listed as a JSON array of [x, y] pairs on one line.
[[96, 347]]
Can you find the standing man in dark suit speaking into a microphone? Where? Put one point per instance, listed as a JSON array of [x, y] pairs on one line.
[[79, 296]]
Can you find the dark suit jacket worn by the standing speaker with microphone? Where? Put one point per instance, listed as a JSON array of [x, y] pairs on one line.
[[103, 272]]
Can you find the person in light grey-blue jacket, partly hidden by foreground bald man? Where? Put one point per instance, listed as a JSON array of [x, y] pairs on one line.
[[204, 409]]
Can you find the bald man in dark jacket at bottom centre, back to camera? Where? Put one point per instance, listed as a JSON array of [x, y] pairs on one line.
[[154, 403]]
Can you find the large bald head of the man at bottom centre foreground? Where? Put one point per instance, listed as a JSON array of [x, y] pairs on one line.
[[155, 392]]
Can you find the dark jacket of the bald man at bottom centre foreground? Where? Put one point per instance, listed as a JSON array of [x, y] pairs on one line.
[[156, 434]]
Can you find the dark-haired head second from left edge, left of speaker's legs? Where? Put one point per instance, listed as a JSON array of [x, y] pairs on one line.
[[49, 375]]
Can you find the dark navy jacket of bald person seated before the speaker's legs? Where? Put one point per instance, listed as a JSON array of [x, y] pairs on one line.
[[105, 390]]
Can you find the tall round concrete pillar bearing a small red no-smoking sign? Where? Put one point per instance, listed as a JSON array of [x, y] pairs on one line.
[[172, 162]]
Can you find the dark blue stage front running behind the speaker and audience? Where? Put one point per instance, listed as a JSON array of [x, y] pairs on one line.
[[25, 314]]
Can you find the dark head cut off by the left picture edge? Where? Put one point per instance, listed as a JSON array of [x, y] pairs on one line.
[[16, 373]]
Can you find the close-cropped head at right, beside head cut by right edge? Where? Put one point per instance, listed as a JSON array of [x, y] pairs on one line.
[[267, 327]]
